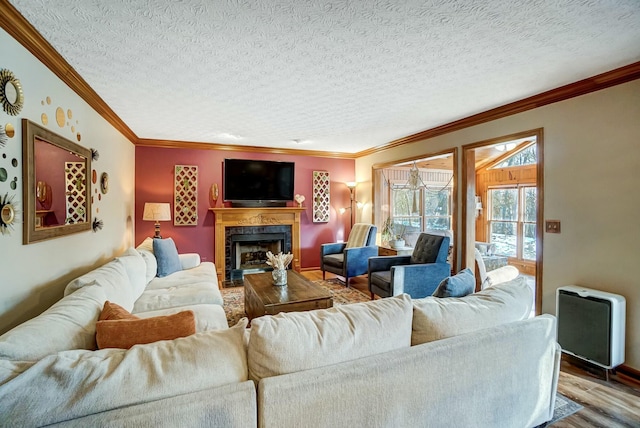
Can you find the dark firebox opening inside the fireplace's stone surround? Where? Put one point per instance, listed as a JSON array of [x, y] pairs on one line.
[[249, 252]]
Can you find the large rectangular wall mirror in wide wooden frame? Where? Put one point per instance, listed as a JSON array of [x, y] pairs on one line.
[[57, 184]]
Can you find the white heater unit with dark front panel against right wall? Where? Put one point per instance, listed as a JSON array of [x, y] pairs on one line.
[[591, 325]]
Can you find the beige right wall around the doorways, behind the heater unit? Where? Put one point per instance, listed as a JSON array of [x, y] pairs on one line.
[[591, 184]]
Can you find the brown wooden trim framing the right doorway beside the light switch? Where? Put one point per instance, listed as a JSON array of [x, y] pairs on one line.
[[468, 193]]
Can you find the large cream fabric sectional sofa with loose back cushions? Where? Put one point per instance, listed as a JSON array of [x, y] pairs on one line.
[[395, 362]]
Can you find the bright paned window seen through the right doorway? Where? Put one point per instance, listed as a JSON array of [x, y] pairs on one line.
[[512, 221]]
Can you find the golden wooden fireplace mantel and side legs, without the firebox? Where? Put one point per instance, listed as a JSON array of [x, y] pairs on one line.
[[231, 217]]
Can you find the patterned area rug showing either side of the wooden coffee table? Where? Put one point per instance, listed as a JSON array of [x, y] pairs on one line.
[[234, 298]]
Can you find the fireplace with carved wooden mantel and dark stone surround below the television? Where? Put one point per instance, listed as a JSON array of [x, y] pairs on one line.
[[233, 227]]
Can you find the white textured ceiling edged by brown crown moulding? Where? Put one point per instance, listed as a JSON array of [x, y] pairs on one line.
[[340, 76]]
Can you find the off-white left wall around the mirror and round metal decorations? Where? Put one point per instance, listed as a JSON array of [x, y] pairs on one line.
[[33, 277]]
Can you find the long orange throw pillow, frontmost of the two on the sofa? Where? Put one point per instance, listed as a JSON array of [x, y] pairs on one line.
[[125, 333]]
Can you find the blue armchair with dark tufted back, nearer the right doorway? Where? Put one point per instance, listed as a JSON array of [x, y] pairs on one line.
[[417, 275]]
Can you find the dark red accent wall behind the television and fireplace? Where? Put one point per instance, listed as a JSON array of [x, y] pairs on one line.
[[154, 183]]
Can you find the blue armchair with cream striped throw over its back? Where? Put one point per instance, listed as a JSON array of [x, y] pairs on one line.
[[349, 259]]
